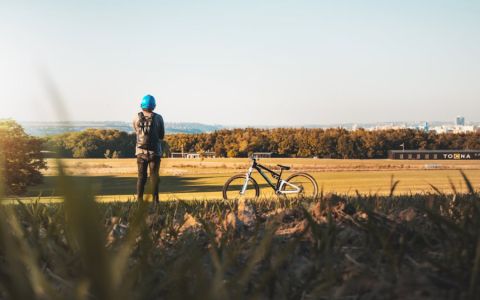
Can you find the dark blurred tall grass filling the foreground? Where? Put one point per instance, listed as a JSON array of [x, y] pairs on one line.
[[334, 247]]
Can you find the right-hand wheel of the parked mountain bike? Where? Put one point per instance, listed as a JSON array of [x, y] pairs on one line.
[[300, 185]]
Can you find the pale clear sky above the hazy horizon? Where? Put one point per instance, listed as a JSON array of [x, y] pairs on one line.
[[242, 62]]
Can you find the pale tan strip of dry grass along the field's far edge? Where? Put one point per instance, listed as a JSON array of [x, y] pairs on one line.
[[229, 165]]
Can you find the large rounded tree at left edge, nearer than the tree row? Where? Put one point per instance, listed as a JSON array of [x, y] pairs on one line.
[[21, 156]]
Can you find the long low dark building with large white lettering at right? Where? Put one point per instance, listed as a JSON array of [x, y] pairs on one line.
[[435, 154]]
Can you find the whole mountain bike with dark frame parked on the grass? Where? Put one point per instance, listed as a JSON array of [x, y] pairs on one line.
[[298, 184]]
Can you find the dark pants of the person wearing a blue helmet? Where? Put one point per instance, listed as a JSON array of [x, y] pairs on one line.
[[145, 162]]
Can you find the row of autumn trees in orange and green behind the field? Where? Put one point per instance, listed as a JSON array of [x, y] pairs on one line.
[[282, 142]]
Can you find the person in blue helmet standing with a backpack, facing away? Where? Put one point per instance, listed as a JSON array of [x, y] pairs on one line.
[[150, 131]]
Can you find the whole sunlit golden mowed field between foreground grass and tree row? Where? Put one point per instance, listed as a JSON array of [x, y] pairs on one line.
[[115, 179]]
